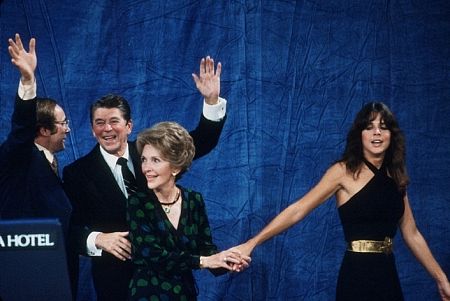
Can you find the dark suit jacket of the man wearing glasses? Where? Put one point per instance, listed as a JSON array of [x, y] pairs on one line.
[[28, 186]]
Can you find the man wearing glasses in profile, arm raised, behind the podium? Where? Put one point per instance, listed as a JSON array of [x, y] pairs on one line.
[[29, 182]]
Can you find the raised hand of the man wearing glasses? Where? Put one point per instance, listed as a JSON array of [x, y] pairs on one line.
[[25, 61]]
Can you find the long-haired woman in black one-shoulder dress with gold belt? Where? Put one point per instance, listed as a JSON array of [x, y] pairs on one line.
[[369, 183]]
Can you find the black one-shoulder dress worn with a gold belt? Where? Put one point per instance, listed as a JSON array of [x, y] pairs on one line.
[[373, 213]]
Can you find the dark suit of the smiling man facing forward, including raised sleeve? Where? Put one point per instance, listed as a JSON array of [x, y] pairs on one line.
[[99, 205]]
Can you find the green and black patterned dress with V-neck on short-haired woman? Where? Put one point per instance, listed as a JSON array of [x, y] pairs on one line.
[[163, 256]]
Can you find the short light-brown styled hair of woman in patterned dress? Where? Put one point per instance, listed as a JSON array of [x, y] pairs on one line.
[[172, 141]]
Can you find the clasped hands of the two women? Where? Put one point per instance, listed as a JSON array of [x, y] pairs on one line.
[[230, 259]]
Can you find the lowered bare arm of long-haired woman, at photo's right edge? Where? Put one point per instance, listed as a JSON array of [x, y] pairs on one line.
[[419, 247]]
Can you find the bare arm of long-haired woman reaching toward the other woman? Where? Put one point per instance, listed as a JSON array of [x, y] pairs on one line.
[[327, 186]]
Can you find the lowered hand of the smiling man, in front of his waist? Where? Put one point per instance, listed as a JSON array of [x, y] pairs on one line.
[[115, 243]]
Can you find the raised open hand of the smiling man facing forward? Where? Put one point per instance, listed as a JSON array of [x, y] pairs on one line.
[[208, 80]]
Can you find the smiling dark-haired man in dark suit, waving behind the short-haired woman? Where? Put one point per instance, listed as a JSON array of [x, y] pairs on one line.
[[98, 184]]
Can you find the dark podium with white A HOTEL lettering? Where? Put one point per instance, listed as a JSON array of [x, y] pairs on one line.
[[33, 262]]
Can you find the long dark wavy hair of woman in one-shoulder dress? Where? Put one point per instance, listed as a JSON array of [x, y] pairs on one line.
[[395, 157]]
